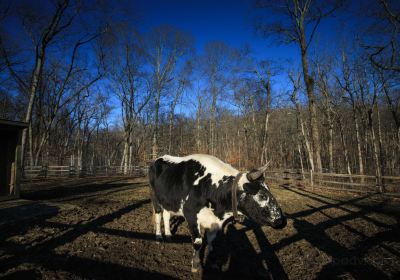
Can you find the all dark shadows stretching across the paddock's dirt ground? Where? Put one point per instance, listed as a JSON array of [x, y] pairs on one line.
[[243, 252]]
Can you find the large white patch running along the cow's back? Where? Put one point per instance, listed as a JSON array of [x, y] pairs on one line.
[[213, 166]]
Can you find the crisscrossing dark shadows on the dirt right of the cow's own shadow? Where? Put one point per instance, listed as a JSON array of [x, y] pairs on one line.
[[344, 260]]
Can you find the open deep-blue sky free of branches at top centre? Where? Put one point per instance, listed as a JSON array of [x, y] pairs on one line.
[[229, 21]]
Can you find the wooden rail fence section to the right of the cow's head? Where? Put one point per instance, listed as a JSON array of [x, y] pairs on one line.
[[333, 181]]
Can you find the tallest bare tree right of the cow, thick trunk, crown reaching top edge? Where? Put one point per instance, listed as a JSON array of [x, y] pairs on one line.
[[300, 23]]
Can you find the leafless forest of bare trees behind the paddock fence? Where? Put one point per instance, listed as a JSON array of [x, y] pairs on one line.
[[98, 88]]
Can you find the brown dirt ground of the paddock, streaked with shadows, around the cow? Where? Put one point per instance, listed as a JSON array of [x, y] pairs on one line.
[[102, 229]]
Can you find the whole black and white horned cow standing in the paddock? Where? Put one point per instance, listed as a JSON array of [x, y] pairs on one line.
[[199, 188]]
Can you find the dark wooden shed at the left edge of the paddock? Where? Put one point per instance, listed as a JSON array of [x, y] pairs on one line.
[[10, 158]]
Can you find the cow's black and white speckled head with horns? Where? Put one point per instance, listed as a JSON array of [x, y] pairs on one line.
[[257, 202]]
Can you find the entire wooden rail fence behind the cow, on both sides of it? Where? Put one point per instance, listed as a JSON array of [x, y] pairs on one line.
[[333, 181]]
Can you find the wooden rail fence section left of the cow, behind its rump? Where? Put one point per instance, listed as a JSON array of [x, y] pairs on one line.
[[52, 171]]
